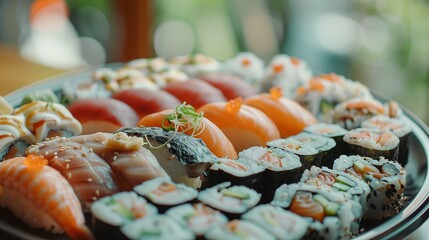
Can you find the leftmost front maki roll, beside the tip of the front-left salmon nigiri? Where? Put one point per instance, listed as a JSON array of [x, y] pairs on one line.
[[112, 212]]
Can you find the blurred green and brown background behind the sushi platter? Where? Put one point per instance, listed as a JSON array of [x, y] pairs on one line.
[[384, 44]]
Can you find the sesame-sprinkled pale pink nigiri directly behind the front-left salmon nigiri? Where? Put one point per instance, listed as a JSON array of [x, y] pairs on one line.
[[89, 175]]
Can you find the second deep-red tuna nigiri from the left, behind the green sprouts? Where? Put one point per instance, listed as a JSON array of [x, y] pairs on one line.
[[144, 101]]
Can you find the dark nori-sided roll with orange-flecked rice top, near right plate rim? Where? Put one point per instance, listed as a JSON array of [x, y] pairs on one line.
[[372, 142]]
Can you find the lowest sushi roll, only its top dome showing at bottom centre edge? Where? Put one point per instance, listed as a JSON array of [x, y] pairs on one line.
[[239, 229]]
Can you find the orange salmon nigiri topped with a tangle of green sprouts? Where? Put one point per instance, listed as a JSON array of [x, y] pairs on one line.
[[193, 124]]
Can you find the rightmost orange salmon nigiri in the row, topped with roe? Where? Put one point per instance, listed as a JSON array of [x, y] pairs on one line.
[[289, 117]]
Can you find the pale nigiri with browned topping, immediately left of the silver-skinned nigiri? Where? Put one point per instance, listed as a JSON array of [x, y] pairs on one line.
[[130, 161]]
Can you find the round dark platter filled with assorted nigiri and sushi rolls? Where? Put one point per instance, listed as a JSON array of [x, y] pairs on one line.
[[253, 146]]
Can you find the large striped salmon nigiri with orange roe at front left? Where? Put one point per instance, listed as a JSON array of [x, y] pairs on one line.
[[41, 197]]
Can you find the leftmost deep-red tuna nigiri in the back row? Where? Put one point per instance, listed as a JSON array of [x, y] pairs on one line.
[[102, 114]]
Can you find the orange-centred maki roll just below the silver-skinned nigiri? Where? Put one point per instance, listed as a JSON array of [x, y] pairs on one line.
[[164, 193]]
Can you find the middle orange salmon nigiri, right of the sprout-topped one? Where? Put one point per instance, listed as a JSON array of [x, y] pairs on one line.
[[243, 125]]
